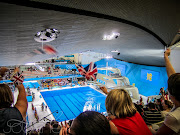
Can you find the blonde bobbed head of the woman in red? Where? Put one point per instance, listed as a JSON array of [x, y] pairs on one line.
[[119, 103]]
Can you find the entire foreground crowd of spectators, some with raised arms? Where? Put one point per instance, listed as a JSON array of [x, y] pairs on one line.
[[124, 117]]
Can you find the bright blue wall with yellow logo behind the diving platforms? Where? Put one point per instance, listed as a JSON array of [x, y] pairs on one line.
[[135, 75]]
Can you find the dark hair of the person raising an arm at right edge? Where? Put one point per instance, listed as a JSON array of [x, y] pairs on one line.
[[174, 85]]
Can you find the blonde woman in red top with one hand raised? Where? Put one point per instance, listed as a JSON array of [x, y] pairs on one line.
[[123, 114]]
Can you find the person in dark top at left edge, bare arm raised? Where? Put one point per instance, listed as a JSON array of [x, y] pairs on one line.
[[12, 119]]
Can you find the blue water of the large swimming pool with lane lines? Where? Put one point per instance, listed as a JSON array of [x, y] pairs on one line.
[[71, 102]]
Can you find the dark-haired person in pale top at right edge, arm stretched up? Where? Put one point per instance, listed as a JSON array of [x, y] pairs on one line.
[[171, 125]]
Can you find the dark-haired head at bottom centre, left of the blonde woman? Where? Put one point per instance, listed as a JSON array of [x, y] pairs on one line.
[[91, 123]]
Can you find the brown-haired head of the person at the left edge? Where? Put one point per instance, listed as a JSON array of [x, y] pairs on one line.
[[6, 96]]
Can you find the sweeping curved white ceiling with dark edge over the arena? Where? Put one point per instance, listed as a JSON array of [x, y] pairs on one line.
[[142, 37]]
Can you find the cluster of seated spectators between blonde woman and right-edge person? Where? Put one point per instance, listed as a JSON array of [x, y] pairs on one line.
[[155, 110]]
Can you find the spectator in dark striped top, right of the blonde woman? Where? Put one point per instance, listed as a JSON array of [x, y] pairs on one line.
[[152, 115]]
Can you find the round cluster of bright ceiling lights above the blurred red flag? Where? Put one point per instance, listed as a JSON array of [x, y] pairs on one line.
[[46, 35]]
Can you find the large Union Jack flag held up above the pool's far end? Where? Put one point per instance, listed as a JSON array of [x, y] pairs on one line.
[[89, 72]]
